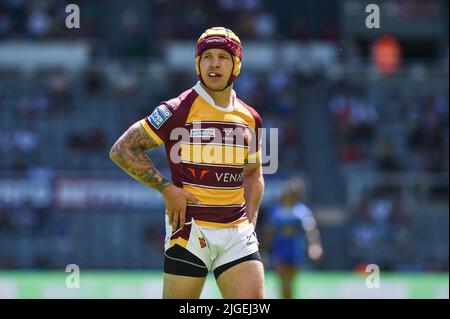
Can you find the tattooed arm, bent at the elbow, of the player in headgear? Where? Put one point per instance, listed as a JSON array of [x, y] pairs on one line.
[[129, 154]]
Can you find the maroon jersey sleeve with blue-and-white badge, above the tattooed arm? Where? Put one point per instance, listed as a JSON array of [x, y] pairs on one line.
[[160, 123]]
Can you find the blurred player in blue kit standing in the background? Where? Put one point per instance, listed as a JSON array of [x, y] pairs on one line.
[[292, 235]]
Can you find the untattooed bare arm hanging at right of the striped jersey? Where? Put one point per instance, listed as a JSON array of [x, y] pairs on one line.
[[253, 190]]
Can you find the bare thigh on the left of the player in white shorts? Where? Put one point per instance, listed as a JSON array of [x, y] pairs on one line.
[[182, 287]]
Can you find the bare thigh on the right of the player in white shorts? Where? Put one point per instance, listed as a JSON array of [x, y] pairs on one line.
[[244, 280]]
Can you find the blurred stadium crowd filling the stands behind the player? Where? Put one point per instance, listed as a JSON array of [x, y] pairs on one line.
[[59, 122]]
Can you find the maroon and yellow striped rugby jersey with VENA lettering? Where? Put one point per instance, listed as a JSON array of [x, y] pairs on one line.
[[216, 144]]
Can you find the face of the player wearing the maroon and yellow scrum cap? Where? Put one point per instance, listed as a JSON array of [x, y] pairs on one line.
[[216, 66]]
